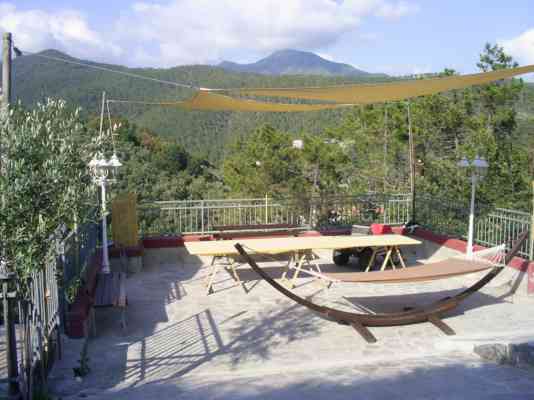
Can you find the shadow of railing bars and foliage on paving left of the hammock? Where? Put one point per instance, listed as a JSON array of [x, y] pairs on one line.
[[156, 349]]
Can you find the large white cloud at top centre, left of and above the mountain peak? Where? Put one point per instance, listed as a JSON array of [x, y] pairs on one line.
[[201, 31]]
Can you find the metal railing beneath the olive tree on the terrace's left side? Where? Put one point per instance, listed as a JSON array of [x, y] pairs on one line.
[[41, 303]]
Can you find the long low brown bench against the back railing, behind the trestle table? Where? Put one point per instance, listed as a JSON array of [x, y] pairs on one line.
[[226, 232]]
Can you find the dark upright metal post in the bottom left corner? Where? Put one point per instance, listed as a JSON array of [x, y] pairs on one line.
[[11, 348]]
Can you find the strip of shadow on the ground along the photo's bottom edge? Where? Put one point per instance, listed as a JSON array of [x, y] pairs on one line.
[[412, 380]]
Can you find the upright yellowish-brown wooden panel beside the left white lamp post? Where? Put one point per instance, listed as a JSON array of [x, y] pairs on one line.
[[124, 220]]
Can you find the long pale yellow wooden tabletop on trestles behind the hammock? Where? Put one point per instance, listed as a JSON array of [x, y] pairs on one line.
[[293, 244]]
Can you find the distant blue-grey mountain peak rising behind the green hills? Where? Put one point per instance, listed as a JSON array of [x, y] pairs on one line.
[[294, 62]]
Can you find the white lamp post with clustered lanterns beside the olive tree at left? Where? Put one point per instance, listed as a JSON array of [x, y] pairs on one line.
[[101, 169]]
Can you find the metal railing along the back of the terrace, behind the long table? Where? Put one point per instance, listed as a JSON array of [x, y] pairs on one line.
[[203, 216]]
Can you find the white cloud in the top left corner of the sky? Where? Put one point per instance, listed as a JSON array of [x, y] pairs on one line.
[[66, 30]]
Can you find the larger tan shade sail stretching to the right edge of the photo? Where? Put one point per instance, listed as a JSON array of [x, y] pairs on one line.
[[391, 91]]
